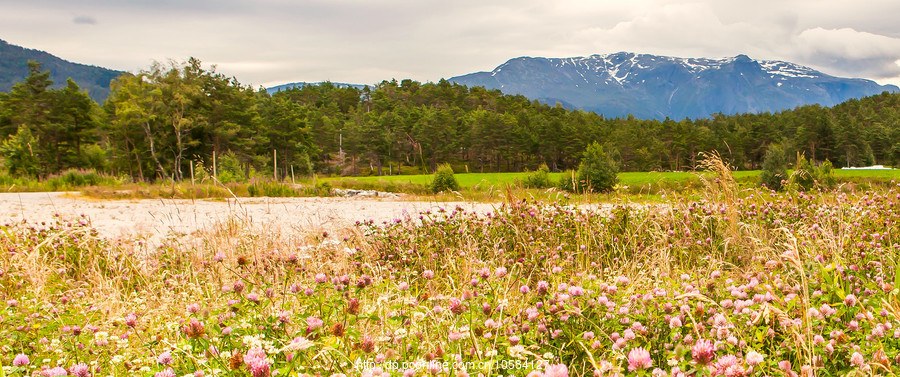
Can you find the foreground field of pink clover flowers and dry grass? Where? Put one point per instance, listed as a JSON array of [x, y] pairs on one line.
[[740, 283]]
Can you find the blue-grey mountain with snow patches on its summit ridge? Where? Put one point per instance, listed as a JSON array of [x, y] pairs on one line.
[[651, 86]]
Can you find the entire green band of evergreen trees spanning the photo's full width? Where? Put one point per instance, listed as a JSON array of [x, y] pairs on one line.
[[157, 123]]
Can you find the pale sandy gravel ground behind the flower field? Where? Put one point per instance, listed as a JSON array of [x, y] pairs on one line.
[[158, 218]]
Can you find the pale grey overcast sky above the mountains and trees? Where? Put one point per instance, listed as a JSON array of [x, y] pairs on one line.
[[271, 42]]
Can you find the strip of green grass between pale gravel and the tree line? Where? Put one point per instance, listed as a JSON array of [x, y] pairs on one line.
[[640, 186]]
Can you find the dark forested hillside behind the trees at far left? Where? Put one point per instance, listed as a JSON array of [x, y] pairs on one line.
[[14, 68]]
